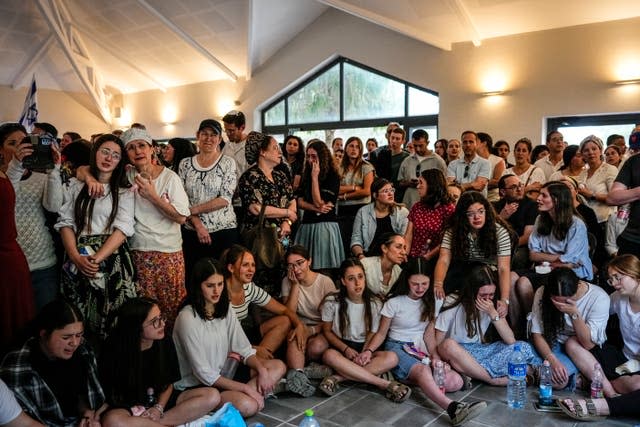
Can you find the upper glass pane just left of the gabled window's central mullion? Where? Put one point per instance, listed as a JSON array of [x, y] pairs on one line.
[[318, 101]]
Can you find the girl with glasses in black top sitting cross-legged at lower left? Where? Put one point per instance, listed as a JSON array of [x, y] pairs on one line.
[[138, 360]]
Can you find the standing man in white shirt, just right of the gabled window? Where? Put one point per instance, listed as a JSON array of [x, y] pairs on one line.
[[472, 172]]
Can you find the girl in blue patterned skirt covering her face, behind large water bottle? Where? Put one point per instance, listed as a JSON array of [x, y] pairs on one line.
[[472, 336]]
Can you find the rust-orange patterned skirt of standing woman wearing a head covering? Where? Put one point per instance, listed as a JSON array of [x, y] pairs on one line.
[[161, 277]]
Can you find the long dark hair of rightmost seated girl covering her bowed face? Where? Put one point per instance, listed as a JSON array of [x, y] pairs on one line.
[[562, 282]]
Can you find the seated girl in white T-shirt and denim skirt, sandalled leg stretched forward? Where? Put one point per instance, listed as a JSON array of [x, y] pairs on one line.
[[409, 316]]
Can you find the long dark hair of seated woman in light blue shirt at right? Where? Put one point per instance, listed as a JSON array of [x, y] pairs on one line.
[[563, 210]]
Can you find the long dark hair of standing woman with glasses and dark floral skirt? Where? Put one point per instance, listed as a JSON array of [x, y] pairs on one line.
[[83, 208]]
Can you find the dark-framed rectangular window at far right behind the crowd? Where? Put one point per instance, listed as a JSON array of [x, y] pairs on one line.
[[575, 129]]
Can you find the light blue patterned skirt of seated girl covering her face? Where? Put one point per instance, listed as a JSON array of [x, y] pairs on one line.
[[494, 357]]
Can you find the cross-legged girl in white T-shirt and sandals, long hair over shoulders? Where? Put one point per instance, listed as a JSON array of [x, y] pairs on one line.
[[350, 318]]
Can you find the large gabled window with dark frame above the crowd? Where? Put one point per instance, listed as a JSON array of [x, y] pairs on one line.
[[346, 98]]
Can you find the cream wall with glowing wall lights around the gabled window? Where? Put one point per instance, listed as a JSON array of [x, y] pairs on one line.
[[558, 72]]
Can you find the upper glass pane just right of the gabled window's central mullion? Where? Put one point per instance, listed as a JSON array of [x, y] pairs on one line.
[[368, 95]]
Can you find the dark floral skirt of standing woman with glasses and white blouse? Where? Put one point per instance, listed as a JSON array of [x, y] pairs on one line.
[[98, 298]]
